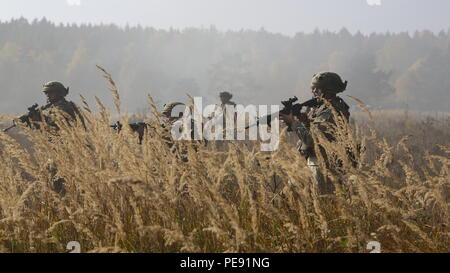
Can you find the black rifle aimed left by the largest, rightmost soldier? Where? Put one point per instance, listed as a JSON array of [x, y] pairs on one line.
[[289, 106]]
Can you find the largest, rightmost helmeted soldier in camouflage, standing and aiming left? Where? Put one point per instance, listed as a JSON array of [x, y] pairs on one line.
[[325, 86]]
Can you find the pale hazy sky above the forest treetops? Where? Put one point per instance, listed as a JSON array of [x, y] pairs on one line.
[[284, 16]]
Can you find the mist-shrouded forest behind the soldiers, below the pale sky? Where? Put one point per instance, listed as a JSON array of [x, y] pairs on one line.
[[386, 71]]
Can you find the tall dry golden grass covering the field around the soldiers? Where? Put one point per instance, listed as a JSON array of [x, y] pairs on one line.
[[125, 197]]
